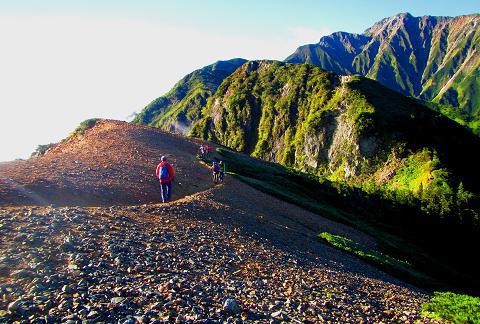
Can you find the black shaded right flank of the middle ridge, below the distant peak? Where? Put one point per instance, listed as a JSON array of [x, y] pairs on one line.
[[406, 120]]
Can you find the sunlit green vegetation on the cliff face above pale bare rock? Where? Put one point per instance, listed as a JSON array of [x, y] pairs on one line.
[[270, 106]]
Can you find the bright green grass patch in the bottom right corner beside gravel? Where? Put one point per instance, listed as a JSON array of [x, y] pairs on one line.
[[448, 306]]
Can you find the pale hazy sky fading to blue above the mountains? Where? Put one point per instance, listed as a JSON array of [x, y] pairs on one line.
[[65, 61]]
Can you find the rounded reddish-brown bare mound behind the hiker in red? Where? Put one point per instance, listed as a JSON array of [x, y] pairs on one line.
[[112, 163]]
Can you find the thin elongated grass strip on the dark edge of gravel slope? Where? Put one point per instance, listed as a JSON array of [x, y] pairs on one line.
[[380, 260]]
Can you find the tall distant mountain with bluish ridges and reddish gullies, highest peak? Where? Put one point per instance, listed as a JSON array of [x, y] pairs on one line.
[[431, 58]]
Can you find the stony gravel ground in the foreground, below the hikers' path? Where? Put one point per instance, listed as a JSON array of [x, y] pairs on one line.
[[201, 259]]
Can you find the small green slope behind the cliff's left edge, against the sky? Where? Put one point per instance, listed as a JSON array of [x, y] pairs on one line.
[[176, 110]]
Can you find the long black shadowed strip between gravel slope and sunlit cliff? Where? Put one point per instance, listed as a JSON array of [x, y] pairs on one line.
[[401, 231]]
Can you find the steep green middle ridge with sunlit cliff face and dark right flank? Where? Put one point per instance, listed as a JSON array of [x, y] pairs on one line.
[[345, 128]]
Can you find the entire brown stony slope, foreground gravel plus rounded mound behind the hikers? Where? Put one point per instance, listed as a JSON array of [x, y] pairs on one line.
[[224, 253]]
